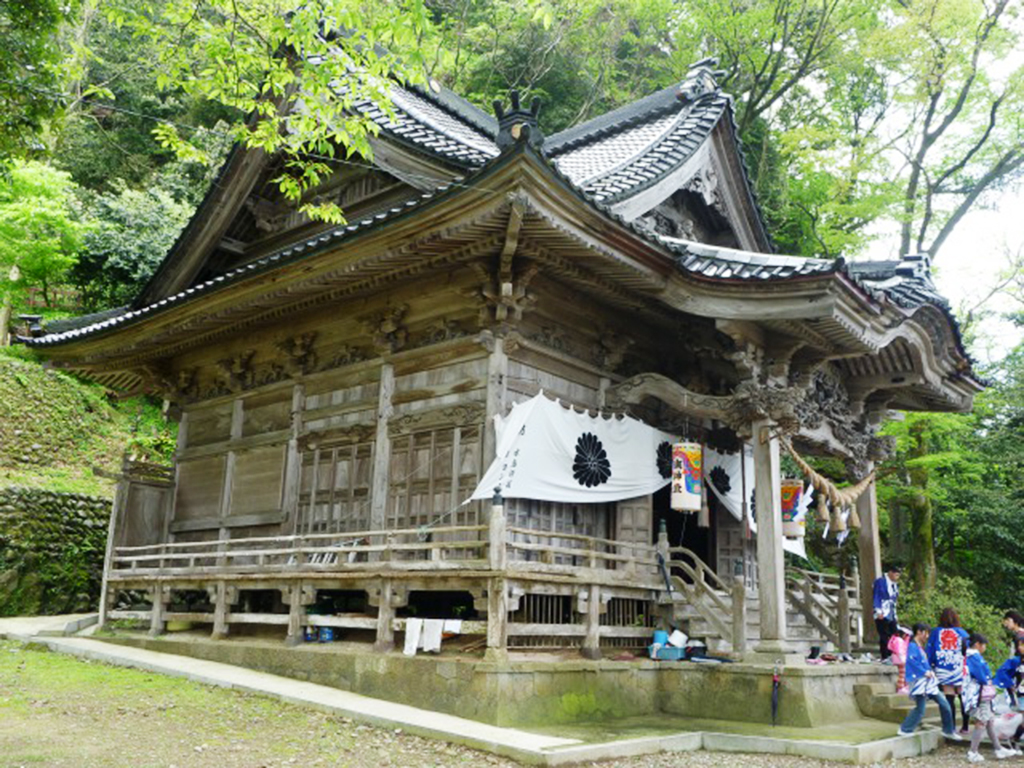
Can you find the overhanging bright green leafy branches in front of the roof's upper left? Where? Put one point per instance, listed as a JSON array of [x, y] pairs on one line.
[[293, 73]]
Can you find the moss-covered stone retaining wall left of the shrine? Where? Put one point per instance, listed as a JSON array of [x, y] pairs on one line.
[[52, 551]]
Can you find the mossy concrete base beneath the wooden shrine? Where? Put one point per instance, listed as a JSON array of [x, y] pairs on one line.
[[556, 691]]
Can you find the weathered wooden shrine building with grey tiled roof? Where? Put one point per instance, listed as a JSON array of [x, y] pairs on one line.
[[337, 387]]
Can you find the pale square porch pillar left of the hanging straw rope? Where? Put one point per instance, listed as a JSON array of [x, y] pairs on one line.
[[772, 562]]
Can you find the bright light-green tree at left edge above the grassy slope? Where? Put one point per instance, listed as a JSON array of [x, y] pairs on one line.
[[40, 233]]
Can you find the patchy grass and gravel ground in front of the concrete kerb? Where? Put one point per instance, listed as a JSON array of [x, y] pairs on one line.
[[58, 711]]
